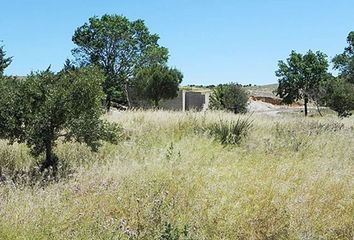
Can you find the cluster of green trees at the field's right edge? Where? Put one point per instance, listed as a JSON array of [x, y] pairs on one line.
[[306, 77]]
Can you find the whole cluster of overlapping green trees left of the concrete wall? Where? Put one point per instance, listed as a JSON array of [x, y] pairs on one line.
[[115, 61]]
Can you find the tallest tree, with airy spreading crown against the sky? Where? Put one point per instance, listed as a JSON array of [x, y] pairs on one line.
[[120, 48]]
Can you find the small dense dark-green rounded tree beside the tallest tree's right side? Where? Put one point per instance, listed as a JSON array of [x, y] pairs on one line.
[[158, 82]]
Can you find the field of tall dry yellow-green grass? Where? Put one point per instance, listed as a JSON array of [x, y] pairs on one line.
[[290, 178]]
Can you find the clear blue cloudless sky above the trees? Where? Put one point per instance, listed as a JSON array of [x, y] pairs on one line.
[[210, 41]]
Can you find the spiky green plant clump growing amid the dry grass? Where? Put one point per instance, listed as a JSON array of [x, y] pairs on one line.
[[230, 132]]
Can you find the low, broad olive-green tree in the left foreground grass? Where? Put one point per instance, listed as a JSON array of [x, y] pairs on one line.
[[44, 107]]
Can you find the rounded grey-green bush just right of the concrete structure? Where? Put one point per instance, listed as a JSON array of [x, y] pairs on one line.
[[231, 97]]
